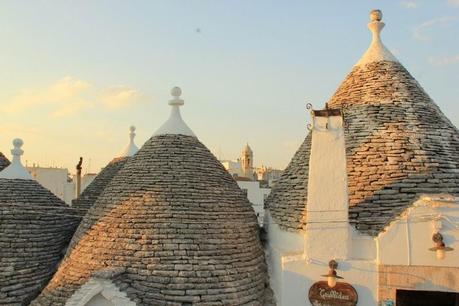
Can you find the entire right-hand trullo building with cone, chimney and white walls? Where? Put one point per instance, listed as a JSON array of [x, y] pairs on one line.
[[370, 196]]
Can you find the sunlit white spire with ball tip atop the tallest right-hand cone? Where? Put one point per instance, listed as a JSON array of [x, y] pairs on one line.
[[377, 51]]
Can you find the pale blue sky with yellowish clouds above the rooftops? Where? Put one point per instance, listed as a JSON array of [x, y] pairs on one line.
[[76, 74]]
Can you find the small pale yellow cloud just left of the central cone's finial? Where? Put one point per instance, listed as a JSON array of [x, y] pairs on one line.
[[120, 97]]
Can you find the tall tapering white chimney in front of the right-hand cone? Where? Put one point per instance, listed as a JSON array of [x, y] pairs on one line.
[[327, 226]]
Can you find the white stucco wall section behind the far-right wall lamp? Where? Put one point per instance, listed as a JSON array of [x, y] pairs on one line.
[[407, 240]]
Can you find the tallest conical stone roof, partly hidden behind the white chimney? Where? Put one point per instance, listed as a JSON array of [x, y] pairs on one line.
[[398, 146]]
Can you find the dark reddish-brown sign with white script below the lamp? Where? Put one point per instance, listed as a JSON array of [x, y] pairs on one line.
[[343, 294]]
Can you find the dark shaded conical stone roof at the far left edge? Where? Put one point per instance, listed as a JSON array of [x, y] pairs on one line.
[[35, 229]]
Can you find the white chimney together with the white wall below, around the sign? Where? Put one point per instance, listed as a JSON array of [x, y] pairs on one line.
[[297, 260]]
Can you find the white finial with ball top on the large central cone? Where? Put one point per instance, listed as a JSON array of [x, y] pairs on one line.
[[175, 123]]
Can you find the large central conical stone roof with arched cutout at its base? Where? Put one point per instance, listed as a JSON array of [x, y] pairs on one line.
[[175, 226]]
